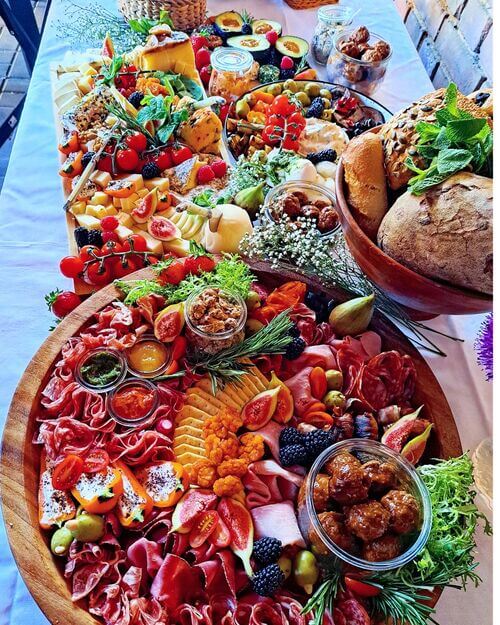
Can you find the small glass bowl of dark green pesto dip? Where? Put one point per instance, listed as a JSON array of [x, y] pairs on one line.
[[101, 369]]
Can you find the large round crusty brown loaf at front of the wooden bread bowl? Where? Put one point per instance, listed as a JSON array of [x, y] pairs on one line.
[[446, 233]]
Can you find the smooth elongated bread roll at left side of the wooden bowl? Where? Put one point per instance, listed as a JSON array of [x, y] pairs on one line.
[[366, 183]]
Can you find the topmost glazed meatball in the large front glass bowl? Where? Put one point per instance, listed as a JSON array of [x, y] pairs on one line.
[[348, 483]]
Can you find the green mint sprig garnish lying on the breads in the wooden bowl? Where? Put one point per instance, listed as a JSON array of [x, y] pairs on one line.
[[455, 142]]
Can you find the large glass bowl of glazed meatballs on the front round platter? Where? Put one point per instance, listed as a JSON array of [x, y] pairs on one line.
[[364, 507]]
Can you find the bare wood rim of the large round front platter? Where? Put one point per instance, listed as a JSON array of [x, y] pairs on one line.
[[20, 458]]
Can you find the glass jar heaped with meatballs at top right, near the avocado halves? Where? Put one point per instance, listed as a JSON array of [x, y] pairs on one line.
[[359, 60]]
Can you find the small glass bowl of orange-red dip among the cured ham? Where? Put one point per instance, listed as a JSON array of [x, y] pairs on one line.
[[132, 402]]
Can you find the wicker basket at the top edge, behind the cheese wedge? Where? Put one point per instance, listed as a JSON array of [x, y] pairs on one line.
[[185, 14]]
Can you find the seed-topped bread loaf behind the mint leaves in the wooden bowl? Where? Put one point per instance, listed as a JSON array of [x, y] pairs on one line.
[[399, 136]]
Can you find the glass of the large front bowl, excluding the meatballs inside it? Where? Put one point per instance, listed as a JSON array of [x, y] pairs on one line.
[[408, 480]]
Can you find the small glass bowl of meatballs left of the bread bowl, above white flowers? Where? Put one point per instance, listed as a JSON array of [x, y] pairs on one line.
[[300, 201]]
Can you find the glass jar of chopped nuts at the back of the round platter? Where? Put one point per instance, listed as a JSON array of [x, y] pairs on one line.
[[215, 319]]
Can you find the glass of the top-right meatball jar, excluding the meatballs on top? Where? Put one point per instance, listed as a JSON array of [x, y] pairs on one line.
[[363, 76]]
